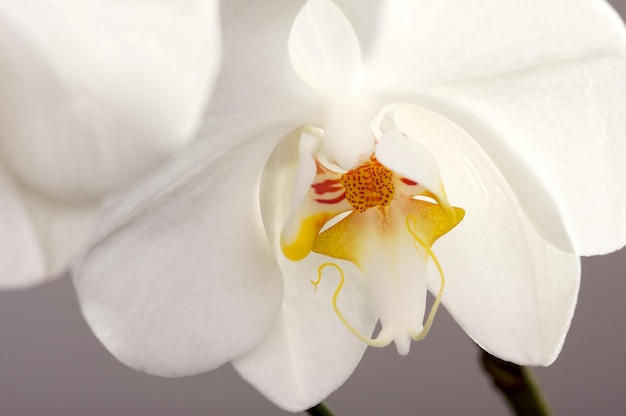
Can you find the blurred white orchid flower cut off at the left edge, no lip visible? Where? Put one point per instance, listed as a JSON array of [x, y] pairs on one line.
[[93, 95]]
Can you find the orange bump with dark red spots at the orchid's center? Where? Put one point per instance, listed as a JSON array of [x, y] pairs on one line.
[[369, 185]]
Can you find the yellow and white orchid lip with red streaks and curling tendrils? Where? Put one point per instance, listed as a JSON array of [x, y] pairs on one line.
[[390, 223]]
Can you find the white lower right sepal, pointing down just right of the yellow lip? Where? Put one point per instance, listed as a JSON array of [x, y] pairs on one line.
[[512, 292]]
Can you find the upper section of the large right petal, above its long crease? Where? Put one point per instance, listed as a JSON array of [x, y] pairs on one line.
[[420, 43]]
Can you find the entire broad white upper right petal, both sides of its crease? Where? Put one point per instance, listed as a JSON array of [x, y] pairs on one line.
[[538, 66]]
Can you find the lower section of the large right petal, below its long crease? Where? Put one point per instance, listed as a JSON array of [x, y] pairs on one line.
[[557, 133]]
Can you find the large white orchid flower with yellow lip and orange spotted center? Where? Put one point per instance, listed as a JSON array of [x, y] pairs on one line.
[[512, 112]]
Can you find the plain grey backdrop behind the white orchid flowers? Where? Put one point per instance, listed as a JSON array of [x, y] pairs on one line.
[[50, 364]]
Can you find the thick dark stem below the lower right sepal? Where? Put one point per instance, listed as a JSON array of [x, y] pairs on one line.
[[517, 384]]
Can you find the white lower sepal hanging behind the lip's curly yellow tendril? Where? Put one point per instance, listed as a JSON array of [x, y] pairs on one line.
[[308, 353]]
